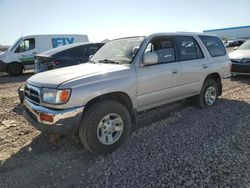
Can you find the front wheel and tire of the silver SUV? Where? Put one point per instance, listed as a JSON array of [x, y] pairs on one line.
[[92, 127]]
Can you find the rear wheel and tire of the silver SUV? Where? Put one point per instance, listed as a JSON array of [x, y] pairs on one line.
[[200, 100]]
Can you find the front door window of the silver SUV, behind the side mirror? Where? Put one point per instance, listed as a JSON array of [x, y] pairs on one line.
[[163, 47]]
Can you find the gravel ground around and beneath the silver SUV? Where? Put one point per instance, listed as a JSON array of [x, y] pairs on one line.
[[180, 147]]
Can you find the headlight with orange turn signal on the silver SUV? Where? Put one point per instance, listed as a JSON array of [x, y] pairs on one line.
[[55, 96]]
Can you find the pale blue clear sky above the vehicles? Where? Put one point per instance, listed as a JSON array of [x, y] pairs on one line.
[[101, 19]]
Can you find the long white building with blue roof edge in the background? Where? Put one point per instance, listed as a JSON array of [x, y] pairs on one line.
[[231, 32]]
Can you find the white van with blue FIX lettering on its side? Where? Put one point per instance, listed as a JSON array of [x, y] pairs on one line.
[[20, 56]]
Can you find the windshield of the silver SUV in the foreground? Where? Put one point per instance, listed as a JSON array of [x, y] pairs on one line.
[[120, 51]]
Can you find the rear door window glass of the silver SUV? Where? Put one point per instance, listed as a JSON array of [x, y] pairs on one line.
[[188, 49]]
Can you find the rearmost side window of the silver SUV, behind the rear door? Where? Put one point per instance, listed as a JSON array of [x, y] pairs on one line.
[[214, 45]]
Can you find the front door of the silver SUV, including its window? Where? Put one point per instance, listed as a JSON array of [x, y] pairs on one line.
[[161, 82]]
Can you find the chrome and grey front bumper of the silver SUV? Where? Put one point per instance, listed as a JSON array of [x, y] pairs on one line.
[[65, 121]]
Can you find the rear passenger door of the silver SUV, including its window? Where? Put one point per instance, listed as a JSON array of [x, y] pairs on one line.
[[193, 64]]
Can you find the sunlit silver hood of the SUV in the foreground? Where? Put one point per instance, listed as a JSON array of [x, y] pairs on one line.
[[56, 77]]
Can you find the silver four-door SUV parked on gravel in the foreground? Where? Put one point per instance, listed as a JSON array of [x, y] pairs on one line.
[[100, 99]]
